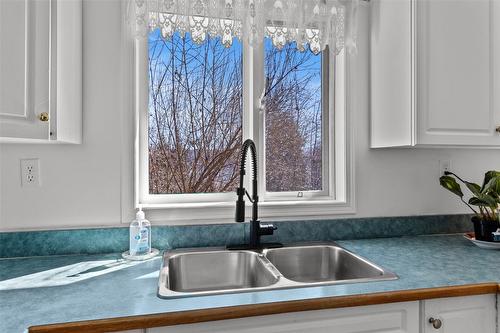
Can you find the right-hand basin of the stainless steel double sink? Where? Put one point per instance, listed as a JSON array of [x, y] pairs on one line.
[[310, 264]]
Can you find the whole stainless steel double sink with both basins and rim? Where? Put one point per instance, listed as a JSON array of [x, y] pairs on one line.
[[209, 271]]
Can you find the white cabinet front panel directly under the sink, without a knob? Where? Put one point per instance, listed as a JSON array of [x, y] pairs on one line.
[[394, 318]]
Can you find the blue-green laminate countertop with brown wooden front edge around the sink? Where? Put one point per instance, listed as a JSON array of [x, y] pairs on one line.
[[81, 293]]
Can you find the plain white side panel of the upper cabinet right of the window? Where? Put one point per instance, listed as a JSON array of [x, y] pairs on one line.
[[391, 76]]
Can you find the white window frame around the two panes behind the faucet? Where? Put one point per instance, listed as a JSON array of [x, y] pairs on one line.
[[219, 207]]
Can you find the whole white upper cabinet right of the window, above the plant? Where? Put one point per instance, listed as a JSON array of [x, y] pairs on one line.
[[435, 73]]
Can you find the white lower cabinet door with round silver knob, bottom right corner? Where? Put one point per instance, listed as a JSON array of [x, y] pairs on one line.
[[461, 314]]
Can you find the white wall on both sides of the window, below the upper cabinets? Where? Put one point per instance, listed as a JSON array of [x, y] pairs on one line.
[[82, 183]]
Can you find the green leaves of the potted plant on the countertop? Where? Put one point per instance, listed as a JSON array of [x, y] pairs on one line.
[[485, 198]]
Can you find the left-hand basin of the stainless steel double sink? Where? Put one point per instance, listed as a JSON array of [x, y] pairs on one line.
[[210, 272]]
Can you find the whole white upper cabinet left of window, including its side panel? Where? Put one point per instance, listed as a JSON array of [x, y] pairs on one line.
[[40, 71]]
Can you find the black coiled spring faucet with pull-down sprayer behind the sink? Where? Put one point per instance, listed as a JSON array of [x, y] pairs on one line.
[[256, 228]]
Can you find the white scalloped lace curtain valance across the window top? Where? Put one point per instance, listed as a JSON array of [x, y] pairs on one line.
[[311, 24]]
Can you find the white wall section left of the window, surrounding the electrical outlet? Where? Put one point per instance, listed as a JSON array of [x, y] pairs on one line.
[[80, 183]]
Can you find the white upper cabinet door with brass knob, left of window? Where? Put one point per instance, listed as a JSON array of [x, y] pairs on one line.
[[24, 68]]
